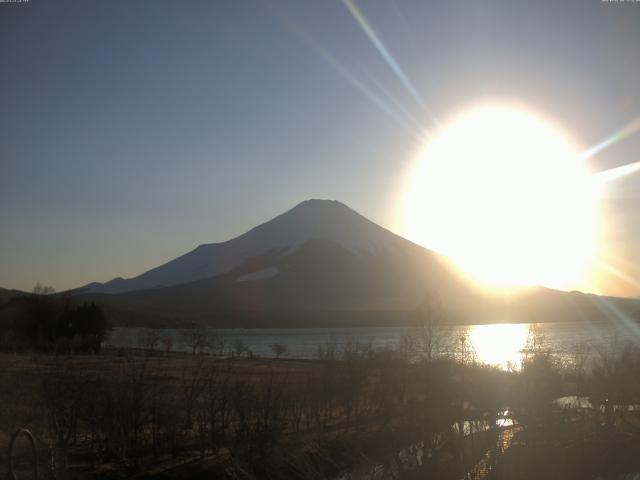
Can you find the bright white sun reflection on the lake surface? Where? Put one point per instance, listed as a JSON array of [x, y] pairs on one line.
[[499, 344]]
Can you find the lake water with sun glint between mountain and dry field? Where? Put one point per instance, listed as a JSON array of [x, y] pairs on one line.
[[496, 344]]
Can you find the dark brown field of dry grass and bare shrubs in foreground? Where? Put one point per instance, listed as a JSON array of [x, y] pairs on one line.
[[361, 413]]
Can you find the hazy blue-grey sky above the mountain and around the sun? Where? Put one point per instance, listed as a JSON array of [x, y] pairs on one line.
[[131, 132]]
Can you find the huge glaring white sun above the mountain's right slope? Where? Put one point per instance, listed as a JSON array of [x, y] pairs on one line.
[[506, 196]]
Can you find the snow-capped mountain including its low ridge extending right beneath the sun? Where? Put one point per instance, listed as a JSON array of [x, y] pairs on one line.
[[323, 264]]
